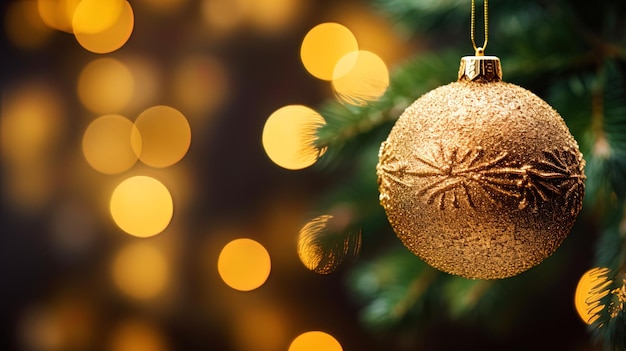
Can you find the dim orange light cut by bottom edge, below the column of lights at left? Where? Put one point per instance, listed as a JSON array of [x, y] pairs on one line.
[[136, 335]]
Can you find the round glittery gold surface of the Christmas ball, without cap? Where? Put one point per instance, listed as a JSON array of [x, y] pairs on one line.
[[481, 180]]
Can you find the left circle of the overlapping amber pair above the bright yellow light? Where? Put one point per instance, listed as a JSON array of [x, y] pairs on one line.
[[108, 144]]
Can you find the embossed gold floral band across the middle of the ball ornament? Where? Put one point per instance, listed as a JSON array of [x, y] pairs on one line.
[[452, 177]]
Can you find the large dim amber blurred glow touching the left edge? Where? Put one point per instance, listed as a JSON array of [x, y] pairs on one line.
[[33, 127]]
